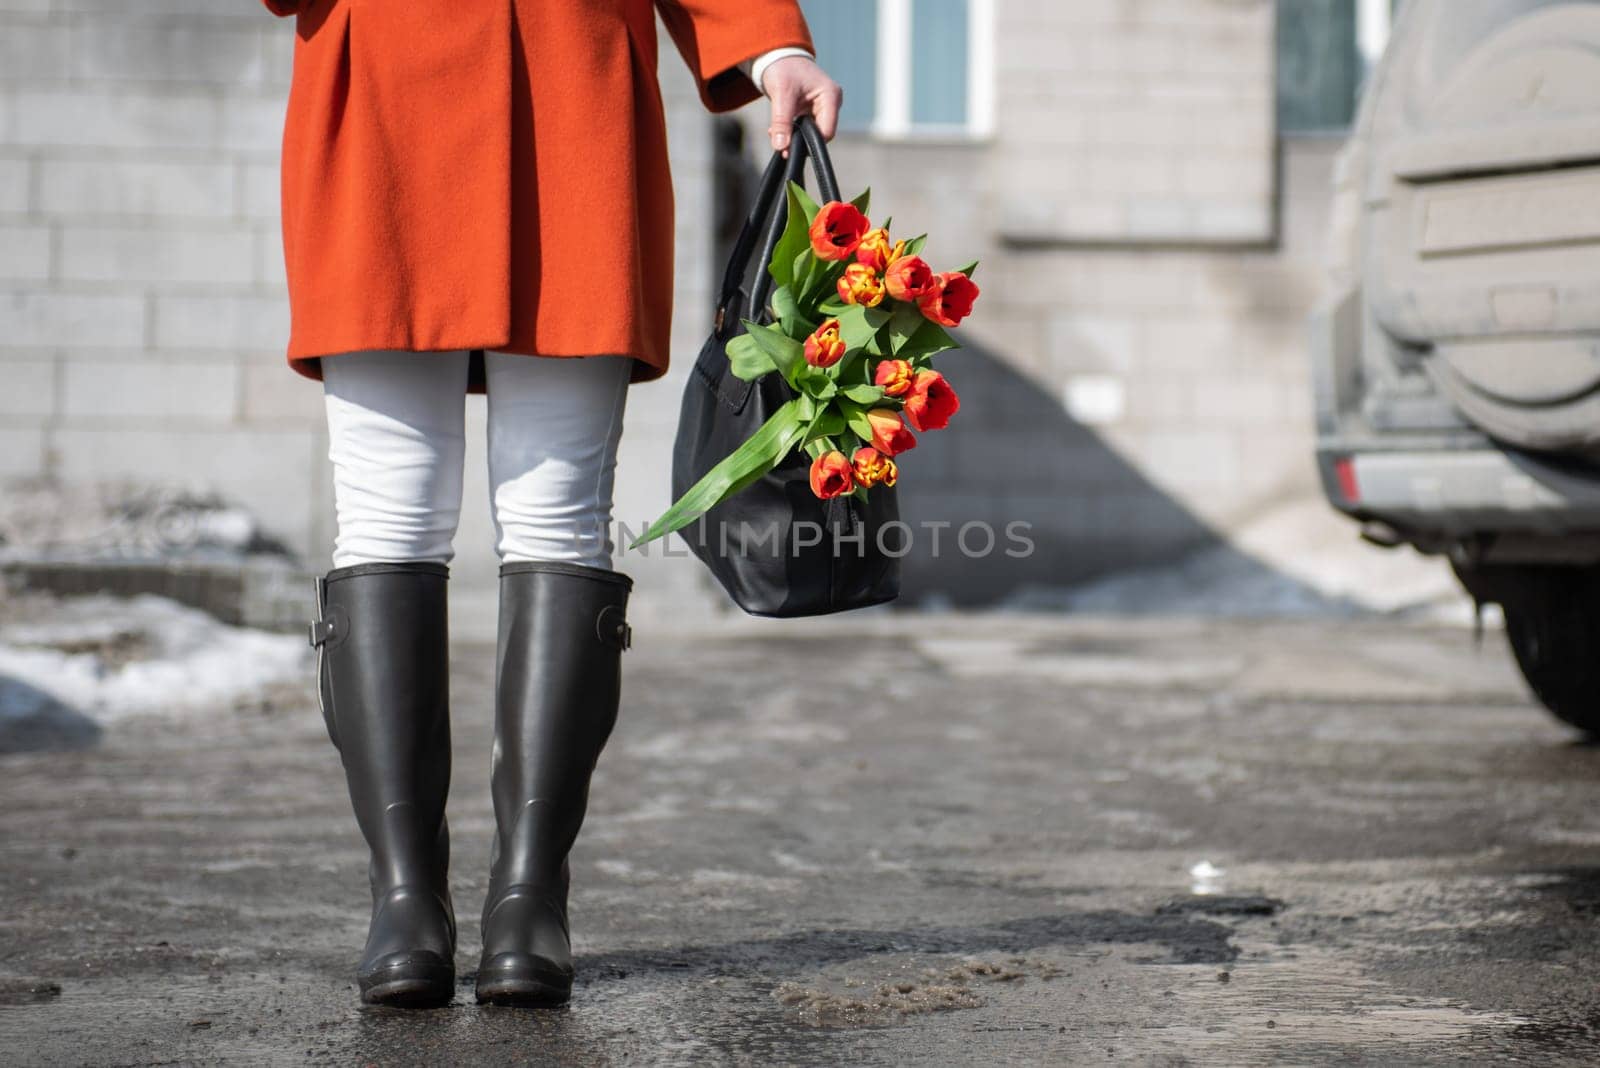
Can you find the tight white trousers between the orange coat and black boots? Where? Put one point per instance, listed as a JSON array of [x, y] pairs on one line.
[[398, 442]]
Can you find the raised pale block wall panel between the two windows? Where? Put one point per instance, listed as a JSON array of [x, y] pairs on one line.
[[1135, 121]]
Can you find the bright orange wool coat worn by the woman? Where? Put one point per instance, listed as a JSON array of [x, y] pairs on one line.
[[494, 173]]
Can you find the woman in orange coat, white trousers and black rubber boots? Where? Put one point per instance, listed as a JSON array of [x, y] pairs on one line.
[[476, 199]]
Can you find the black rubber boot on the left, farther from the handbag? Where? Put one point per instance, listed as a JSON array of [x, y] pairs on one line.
[[383, 672]]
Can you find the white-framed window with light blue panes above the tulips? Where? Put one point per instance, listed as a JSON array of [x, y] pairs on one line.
[[910, 68]]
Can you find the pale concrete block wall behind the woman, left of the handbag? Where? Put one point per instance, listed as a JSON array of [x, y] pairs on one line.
[[143, 309]]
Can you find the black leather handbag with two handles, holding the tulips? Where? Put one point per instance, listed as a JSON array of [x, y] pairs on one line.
[[775, 548]]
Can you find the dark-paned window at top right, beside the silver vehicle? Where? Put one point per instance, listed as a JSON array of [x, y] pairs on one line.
[[1326, 52]]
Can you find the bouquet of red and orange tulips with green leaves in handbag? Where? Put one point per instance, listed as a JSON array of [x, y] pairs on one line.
[[858, 319]]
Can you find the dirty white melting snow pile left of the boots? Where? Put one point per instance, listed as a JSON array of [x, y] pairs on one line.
[[113, 658]]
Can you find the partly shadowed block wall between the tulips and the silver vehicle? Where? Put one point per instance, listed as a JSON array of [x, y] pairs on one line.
[[1135, 381]]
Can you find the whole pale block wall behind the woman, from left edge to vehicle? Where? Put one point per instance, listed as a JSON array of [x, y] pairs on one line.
[[1124, 210]]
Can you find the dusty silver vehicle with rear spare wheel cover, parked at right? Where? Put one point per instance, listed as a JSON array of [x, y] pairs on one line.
[[1457, 362]]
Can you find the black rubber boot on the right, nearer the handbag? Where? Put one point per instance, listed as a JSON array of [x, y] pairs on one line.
[[562, 632]]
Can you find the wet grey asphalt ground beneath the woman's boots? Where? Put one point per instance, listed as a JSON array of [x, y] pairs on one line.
[[881, 840]]
